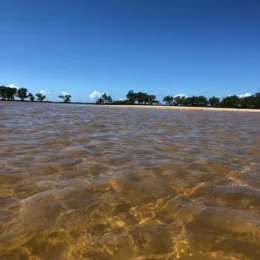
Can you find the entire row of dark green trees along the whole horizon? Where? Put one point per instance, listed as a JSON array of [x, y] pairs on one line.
[[142, 98]]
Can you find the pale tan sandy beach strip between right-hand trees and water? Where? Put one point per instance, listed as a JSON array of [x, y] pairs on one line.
[[184, 108]]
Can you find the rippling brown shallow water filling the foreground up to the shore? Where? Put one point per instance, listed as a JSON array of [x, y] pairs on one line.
[[82, 182]]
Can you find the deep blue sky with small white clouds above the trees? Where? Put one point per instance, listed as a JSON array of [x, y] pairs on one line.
[[202, 47]]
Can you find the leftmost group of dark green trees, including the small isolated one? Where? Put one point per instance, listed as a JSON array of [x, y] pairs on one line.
[[8, 93]]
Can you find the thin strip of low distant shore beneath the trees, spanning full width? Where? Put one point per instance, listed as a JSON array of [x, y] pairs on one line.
[[142, 106]]
